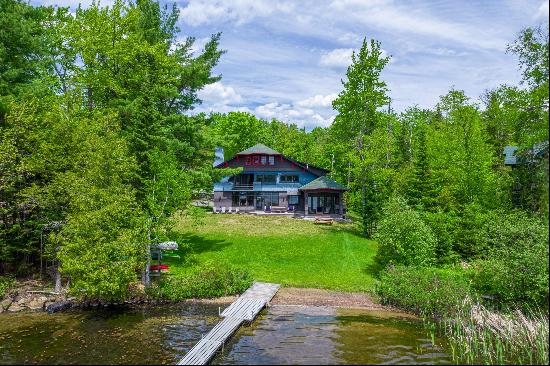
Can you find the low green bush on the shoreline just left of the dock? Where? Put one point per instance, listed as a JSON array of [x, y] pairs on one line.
[[203, 282]]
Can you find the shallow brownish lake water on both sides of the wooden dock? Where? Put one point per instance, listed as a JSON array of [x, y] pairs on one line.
[[282, 335]]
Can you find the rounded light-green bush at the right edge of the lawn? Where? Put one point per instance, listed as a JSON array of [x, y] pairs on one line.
[[403, 238]]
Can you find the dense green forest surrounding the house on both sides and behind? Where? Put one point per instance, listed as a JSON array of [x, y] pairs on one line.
[[100, 147]]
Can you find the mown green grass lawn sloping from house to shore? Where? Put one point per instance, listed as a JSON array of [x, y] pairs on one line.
[[283, 250]]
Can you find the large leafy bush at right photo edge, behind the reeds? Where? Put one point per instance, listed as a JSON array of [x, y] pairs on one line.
[[515, 269]]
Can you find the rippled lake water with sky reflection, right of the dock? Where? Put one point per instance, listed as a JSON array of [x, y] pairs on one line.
[[309, 335]]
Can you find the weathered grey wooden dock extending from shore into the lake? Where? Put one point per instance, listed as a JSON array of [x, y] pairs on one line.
[[245, 308]]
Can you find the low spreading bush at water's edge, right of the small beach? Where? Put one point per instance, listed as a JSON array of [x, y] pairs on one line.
[[428, 291]]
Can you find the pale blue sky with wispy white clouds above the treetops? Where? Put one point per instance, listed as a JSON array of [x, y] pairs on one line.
[[285, 59]]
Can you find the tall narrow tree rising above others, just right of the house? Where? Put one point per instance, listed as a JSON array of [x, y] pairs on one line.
[[359, 114]]
